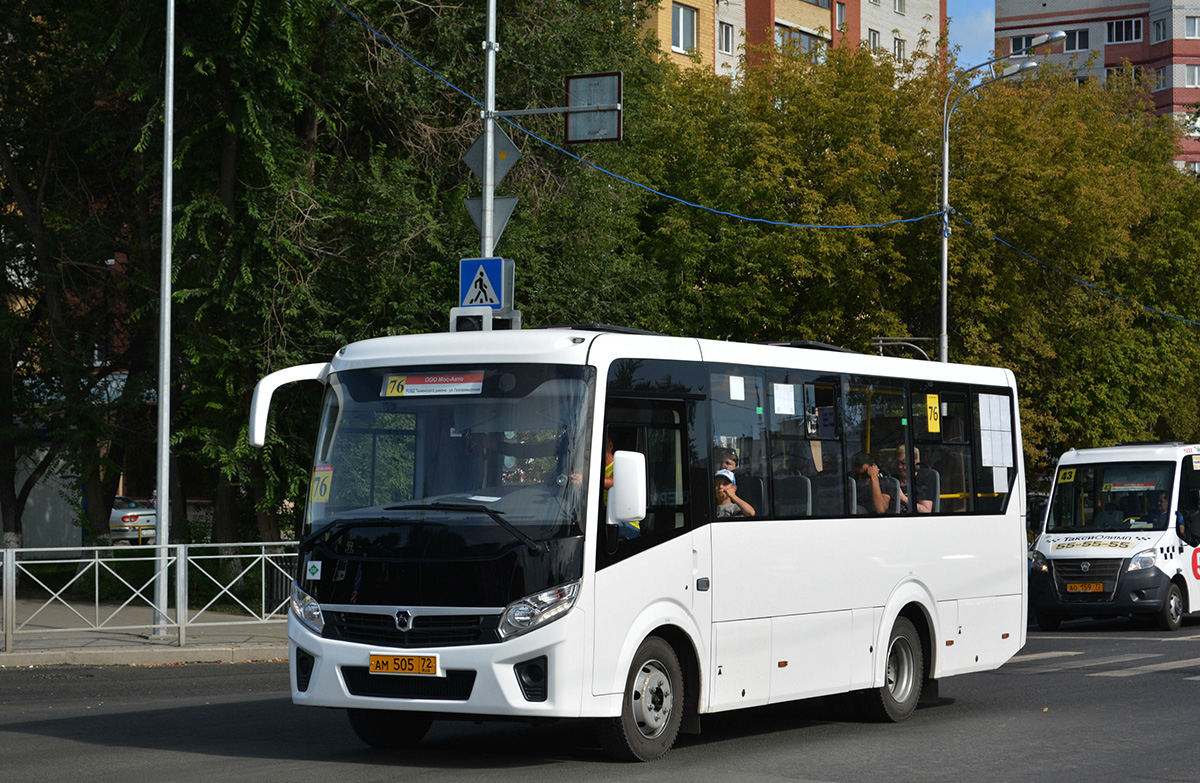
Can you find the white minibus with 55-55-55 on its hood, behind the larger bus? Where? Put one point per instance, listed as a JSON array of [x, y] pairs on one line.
[[1120, 536]]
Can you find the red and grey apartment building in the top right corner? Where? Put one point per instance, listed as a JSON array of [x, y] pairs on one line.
[[1161, 39]]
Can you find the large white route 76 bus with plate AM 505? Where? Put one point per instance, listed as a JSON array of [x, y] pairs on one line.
[[465, 557]]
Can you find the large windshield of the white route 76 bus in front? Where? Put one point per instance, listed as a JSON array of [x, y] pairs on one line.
[[488, 457]]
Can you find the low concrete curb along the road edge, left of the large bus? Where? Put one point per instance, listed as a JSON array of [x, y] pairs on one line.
[[159, 656]]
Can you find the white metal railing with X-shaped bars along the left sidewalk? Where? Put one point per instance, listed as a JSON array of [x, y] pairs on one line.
[[110, 589]]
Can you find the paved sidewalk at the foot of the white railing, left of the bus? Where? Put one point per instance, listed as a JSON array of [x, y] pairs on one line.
[[57, 636]]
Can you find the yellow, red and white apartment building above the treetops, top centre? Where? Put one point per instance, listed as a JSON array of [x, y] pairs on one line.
[[718, 31]]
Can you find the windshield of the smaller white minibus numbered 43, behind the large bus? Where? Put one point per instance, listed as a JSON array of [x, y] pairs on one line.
[[1112, 498]]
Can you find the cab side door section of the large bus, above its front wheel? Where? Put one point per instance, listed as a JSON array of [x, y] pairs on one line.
[[659, 573]]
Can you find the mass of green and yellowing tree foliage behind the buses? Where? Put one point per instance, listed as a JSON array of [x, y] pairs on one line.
[[319, 200]]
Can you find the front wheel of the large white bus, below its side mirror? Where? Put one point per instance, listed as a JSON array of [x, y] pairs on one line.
[[652, 707]]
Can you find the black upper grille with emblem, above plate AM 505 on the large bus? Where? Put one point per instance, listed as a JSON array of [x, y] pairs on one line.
[[428, 631]]
